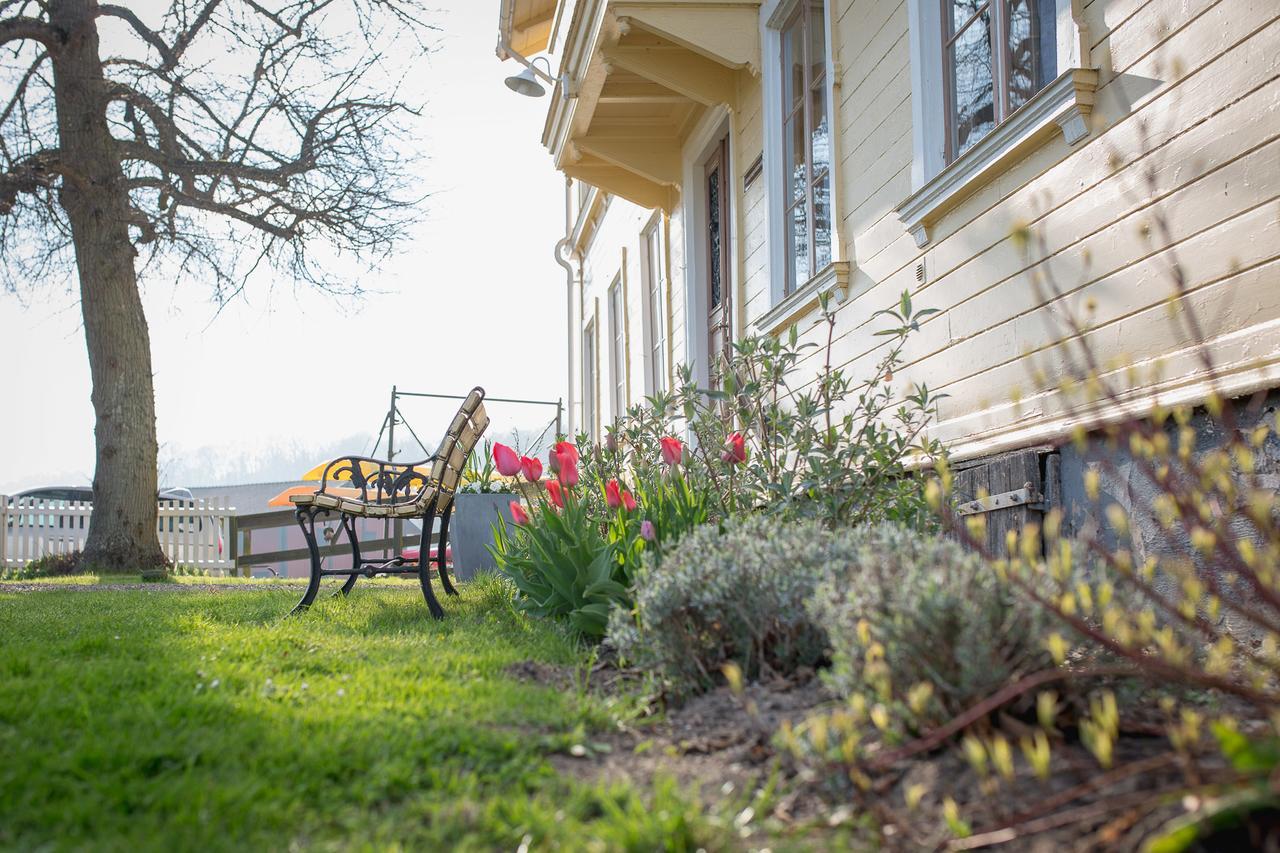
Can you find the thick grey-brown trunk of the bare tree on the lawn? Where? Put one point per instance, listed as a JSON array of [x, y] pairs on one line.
[[124, 532]]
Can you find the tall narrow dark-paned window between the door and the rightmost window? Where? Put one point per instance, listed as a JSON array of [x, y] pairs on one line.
[[807, 144]]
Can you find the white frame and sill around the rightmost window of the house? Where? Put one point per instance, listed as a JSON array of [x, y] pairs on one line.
[[1066, 103]]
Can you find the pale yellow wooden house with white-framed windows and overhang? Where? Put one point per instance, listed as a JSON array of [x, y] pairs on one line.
[[729, 161]]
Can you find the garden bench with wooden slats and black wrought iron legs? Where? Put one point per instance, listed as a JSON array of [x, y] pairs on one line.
[[391, 491]]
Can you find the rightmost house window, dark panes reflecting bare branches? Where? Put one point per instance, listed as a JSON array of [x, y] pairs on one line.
[[996, 57]]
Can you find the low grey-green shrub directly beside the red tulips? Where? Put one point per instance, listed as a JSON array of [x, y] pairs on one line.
[[734, 596]]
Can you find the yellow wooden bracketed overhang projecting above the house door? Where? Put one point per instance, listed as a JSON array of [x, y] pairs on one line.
[[644, 74]]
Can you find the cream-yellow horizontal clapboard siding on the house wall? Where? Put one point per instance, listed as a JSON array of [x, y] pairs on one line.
[[1186, 127]]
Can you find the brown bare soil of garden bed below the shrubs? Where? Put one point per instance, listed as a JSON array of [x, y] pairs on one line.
[[721, 747]]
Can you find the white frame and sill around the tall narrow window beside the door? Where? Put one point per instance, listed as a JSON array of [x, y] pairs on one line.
[[776, 15]]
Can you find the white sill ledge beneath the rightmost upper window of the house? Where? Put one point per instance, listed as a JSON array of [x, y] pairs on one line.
[[1063, 104]]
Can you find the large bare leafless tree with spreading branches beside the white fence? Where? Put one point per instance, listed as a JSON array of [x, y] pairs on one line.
[[194, 139]]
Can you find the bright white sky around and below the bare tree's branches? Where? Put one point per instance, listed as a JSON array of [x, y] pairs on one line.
[[477, 294]]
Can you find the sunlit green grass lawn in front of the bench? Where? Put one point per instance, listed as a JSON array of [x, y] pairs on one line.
[[179, 719]]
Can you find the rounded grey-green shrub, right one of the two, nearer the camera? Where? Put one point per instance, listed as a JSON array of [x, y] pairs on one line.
[[908, 610]]
